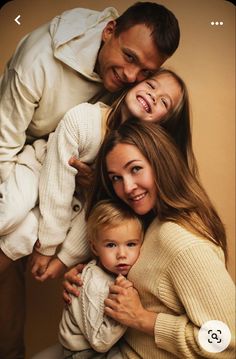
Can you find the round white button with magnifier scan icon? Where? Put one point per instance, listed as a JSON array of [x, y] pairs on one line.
[[214, 336]]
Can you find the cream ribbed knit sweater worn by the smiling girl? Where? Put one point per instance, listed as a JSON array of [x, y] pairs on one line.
[[79, 133]]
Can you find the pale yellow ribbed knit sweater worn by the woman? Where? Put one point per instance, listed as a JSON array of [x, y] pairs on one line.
[[182, 278]]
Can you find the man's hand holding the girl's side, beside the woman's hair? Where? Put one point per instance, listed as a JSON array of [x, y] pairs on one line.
[[84, 175]]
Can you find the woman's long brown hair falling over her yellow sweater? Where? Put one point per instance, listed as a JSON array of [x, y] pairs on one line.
[[181, 197]]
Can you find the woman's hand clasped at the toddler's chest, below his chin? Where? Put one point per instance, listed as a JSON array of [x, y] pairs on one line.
[[123, 304]]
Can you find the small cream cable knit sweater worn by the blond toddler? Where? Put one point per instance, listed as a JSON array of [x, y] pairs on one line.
[[83, 323]]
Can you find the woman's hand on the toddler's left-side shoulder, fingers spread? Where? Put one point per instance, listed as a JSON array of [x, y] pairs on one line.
[[71, 282]]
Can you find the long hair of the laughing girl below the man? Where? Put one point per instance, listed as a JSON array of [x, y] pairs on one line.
[[176, 123]]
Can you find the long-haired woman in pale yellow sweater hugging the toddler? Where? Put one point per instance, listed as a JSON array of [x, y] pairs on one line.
[[180, 278]]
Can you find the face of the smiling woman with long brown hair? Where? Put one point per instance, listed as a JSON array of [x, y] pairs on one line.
[[132, 177]]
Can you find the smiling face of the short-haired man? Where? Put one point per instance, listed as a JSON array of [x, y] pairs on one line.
[[128, 58]]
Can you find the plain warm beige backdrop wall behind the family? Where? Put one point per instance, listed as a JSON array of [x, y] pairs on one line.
[[206, 61]]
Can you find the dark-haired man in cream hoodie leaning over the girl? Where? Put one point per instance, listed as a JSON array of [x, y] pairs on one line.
[[82, 55]]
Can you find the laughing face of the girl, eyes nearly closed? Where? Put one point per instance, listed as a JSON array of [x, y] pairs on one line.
[[152, 99]]
